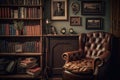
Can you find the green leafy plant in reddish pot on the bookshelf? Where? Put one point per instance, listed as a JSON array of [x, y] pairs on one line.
[[18, 25]]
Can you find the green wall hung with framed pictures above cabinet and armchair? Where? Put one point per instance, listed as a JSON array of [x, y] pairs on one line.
[[81, 15]]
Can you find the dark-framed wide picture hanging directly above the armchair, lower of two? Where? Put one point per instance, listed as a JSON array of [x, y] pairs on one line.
[[94, 23]]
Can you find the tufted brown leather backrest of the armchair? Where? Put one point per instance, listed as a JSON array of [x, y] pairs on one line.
[[97, 44]]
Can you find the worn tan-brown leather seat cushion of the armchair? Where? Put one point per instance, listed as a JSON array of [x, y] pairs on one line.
[[80, 66]]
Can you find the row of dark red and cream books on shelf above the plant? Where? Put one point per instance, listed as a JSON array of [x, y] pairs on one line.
[[20, 12]]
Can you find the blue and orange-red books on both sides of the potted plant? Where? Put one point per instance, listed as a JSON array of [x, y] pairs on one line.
[[29, 29]]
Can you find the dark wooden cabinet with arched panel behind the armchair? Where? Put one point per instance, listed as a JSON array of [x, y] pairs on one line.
[[56, 46]]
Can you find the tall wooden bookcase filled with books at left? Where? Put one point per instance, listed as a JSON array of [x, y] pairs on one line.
[[20, 53]]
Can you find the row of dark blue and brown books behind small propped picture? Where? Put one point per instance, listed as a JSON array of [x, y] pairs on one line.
[[12, 47]]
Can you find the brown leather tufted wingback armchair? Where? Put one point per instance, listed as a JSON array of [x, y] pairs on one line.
[[92, 58]]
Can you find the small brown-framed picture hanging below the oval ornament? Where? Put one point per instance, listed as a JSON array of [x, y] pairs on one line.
[[75, 21]]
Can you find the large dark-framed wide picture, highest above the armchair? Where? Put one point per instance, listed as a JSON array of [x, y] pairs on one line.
[[92, 7]]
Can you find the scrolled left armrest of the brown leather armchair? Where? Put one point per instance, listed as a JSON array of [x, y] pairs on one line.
[[72, 55]]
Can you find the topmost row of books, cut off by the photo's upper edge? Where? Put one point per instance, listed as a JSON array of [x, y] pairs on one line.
[[21, 2]]
